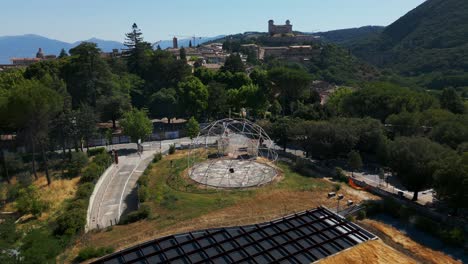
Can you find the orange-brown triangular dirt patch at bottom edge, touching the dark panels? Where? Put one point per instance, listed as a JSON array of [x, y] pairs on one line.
[[374, 251]]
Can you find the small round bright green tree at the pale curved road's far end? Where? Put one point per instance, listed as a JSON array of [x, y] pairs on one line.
[[136, 125]]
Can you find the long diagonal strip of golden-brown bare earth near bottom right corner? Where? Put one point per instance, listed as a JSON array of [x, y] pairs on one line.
[[405, 244]]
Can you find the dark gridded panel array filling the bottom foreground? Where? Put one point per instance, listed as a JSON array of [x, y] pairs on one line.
[[300, 238]]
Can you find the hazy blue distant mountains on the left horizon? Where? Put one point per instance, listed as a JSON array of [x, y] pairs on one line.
[[28, 45]]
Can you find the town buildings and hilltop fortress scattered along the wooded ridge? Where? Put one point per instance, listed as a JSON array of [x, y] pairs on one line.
[[213, 56]]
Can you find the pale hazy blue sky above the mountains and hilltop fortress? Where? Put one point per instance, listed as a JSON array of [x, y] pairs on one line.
[[72, 20]]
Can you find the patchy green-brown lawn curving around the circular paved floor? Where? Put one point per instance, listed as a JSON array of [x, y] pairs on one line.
[[174, 197]]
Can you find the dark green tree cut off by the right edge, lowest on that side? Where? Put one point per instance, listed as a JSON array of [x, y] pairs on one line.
[[451, 180]]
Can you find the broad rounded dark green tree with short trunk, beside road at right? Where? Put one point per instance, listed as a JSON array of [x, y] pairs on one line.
[[413, 161]]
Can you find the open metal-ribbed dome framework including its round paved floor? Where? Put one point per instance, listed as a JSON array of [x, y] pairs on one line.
[[232, 153]]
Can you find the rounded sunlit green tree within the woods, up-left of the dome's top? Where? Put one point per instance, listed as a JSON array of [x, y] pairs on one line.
[[193, 96]]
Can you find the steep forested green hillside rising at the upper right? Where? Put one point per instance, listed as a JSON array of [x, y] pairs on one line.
[[431, 39]]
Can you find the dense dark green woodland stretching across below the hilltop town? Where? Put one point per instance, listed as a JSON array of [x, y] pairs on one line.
[[420, 136]]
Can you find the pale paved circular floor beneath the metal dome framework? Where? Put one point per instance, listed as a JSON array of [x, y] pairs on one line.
[[229, 173]]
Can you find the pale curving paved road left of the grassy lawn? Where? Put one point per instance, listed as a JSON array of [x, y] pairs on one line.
[[115, 192]]
